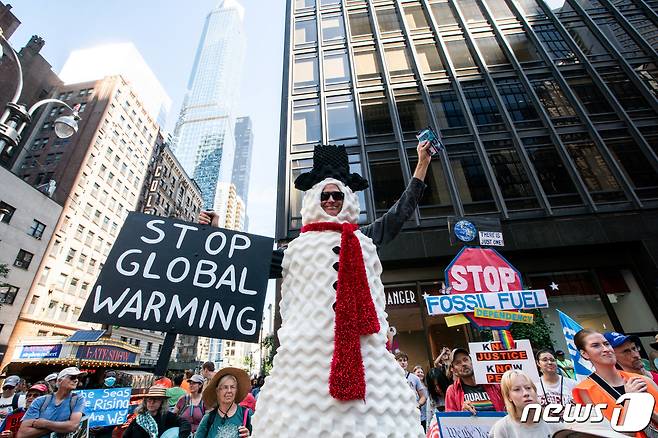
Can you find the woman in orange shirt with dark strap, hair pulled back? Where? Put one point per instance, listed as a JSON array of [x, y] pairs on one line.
[[606, 384]]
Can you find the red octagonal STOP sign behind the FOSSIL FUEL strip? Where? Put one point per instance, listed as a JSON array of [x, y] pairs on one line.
[[482, 270]]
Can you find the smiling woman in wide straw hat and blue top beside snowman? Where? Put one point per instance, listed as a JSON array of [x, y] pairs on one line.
[[226, 418]]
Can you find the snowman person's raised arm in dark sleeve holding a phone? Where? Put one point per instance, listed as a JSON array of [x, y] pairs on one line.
[[387, 227]]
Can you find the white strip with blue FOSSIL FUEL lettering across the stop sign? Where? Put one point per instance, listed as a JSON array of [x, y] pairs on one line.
[[462, 303]]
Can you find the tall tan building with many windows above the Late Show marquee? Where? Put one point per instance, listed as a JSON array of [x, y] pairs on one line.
[[98, 175]]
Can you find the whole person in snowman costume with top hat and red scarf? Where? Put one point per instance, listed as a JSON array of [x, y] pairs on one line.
[[332, 375]]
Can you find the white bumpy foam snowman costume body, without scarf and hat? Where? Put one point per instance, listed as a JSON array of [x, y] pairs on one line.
[[295, 400]]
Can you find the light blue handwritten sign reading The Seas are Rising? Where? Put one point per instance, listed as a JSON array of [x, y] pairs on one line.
[[106, 407]]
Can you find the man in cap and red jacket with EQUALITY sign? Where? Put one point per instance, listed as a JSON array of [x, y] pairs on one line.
[[466, 395]]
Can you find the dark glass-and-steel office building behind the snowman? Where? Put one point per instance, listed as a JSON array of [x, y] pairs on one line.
[[549, 123]]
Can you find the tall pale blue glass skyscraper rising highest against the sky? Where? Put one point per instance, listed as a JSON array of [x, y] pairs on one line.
[[204, 142]]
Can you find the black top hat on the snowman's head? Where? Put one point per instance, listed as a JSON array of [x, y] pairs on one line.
[[330, 161]]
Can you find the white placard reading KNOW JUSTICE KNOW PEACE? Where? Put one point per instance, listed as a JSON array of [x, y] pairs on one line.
[[490, 360]]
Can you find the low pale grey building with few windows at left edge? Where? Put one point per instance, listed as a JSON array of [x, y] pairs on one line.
[[27, 221]]
